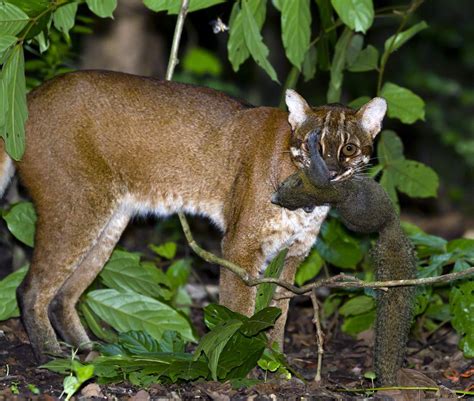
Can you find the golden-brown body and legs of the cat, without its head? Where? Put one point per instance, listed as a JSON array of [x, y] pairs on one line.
[[103, 146]]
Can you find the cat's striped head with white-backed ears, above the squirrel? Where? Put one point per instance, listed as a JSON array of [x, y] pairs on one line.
[[346, 135]]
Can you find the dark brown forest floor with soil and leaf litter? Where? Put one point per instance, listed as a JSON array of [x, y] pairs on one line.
[[436, 362]]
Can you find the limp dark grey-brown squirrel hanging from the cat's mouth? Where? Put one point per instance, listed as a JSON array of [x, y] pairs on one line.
[[364, 207]]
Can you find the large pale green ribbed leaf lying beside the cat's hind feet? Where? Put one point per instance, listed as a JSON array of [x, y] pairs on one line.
[[132, 311]]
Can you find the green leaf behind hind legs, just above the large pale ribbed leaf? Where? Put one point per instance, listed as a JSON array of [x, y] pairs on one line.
[[124, 273]]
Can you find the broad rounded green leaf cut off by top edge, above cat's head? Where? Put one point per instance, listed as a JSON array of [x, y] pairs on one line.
[[356, 14]]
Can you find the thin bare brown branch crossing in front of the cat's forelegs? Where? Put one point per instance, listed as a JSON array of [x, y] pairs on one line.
[[338, 281]]
